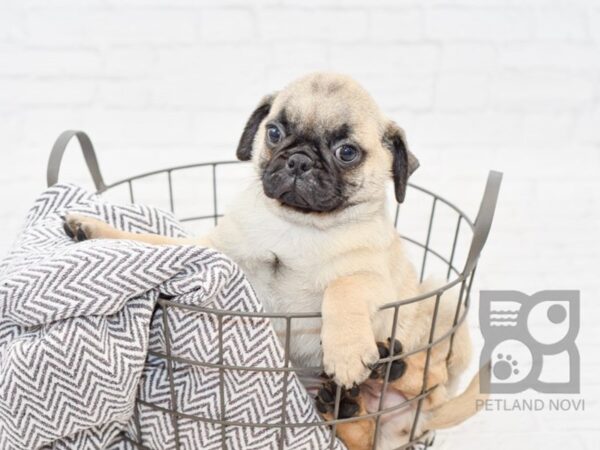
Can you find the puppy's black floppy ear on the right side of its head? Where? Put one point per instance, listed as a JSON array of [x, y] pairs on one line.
[[404, 162]]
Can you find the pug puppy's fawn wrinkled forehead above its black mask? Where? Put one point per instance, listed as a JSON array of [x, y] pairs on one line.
[[323, 107]]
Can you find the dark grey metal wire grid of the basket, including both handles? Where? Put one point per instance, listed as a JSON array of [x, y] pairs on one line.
[[454, 276]]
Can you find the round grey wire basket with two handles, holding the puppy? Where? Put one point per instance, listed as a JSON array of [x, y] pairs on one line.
[[458, 271]]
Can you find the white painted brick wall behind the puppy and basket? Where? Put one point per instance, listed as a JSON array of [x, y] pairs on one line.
[[477, 84]]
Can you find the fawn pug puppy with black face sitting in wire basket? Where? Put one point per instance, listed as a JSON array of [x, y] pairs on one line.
[[312, 233]]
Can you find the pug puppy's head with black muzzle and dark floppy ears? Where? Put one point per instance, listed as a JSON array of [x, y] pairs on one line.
[[321, 146]]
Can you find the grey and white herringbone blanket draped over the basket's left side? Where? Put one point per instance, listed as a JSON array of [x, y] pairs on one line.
[[77, 321]]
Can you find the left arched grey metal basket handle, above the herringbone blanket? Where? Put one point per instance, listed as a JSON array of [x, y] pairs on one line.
[[58, 149]]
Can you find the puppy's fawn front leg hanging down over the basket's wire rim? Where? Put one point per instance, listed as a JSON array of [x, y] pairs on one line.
[[349, 348]]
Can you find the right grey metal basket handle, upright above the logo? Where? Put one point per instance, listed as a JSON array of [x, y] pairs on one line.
[[483, 222]]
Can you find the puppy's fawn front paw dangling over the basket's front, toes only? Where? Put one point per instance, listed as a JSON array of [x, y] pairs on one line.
[[348, 361]]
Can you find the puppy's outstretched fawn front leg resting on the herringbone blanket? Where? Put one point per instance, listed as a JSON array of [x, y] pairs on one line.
[[81, 227]]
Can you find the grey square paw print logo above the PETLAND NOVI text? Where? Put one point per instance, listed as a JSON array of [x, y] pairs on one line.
[[523, 334]]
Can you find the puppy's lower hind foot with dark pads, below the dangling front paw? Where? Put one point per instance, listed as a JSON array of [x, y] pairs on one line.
[[357, 435]]
